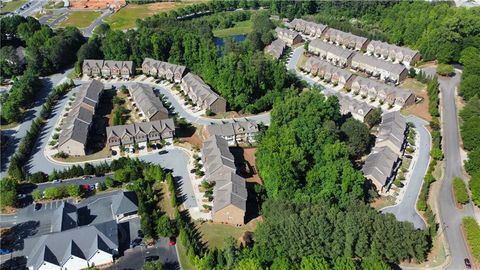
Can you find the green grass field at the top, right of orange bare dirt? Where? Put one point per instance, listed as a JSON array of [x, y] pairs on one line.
[[125, 18]]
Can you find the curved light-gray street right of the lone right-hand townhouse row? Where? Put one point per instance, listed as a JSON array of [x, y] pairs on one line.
[[406, 209]]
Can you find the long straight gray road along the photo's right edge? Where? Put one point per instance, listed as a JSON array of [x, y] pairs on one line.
[[450, 216]]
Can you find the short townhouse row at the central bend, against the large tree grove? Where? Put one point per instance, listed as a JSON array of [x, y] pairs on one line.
[[238, 133]]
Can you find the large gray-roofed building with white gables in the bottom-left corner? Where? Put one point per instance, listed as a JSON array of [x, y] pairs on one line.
[[82, 242]]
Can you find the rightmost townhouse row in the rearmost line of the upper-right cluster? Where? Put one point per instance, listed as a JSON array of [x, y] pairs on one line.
[[393, 53]]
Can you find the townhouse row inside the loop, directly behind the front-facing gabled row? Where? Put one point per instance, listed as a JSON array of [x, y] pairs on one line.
[[146, 102]]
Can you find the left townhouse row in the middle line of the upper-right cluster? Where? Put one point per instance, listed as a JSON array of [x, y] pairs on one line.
[[332, 53]]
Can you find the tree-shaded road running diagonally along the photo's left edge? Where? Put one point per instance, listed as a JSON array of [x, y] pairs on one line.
[[19, 132]]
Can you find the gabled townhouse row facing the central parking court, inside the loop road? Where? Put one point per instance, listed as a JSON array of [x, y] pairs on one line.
[[140, 133]]
